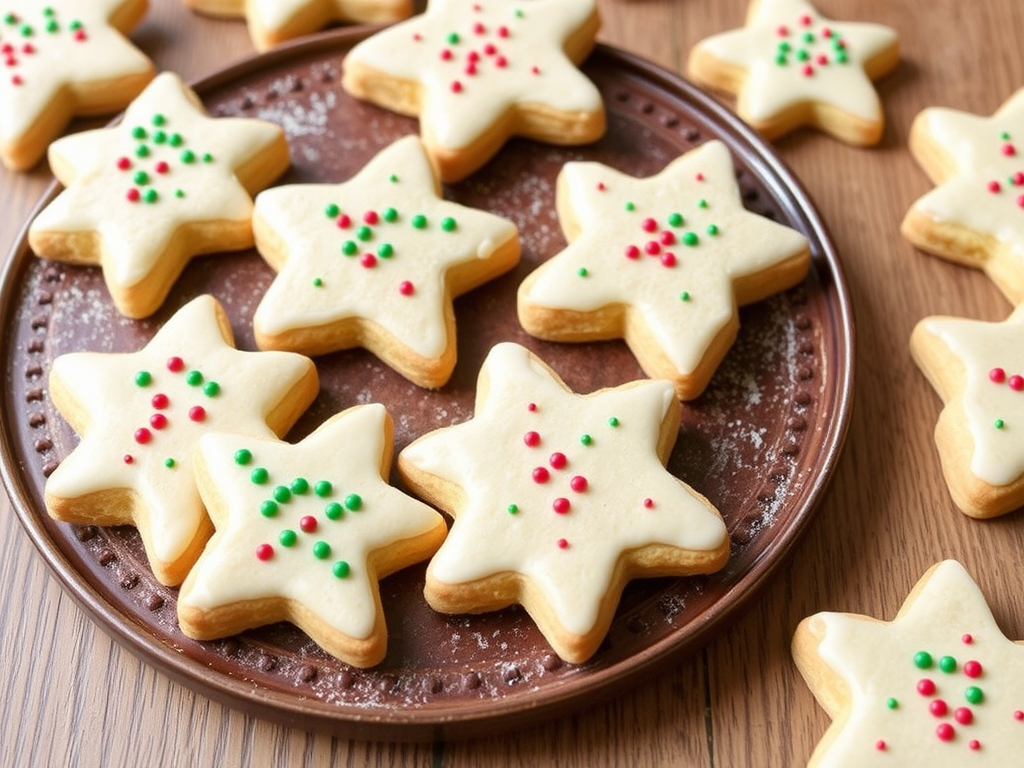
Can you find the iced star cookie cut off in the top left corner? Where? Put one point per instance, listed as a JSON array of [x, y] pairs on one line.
[[63, 59]]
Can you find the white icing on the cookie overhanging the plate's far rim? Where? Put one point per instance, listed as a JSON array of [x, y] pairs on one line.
[[412, 51]]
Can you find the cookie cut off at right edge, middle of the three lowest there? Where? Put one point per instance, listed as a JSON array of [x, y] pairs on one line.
[[978, 370]]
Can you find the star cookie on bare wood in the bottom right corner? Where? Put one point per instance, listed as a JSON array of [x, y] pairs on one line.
[[940, 686]]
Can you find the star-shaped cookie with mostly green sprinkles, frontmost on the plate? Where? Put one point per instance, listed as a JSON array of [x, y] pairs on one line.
[[305, 532]]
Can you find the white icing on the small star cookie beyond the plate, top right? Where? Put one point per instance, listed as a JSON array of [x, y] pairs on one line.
[[772, 89]]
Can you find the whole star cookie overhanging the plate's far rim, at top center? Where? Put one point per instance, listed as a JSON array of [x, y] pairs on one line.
[[479, 73]]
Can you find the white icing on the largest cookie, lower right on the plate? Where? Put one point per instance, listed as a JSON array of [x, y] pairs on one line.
[[490, 460]]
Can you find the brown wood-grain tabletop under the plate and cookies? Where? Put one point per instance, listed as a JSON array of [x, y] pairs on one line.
[[72, 697]]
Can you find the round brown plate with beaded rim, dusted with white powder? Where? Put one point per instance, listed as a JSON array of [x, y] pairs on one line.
[[761, 444]]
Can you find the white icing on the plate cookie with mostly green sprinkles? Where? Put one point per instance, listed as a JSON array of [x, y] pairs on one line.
[[347, 452]]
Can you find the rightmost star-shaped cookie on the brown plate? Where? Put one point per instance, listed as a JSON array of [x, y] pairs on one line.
[[662, 263]]
